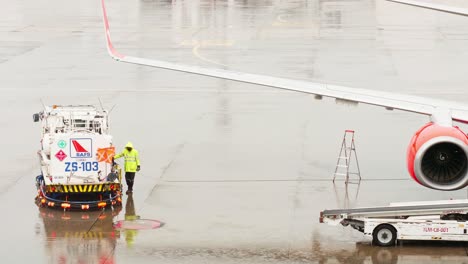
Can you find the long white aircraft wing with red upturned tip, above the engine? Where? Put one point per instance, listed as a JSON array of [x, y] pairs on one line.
[[420, 105]]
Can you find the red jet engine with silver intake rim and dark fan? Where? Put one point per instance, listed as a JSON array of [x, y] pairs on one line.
[[438, 157]]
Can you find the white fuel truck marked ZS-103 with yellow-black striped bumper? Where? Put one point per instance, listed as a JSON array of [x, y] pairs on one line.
[[75, 156]]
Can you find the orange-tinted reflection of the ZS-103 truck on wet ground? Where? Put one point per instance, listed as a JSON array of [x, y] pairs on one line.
[[78, 237]]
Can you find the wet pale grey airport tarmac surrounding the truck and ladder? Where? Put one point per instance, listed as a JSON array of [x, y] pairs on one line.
[[238, 173]]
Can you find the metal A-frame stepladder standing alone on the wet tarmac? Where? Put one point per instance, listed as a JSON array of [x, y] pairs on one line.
[[348, 148]]
